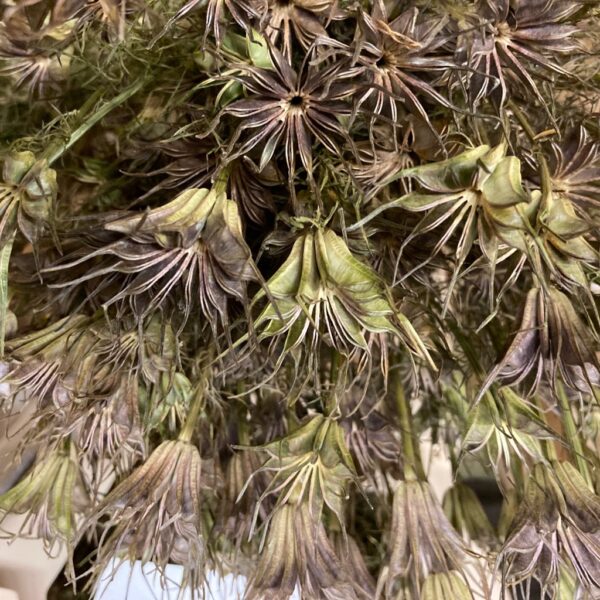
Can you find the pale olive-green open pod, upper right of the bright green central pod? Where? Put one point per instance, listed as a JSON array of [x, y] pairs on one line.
[[476, 195]]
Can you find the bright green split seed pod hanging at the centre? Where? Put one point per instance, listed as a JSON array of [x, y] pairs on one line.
[[322, 293]]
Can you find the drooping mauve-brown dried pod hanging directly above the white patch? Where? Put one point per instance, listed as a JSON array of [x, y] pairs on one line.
[[155, 514]]
